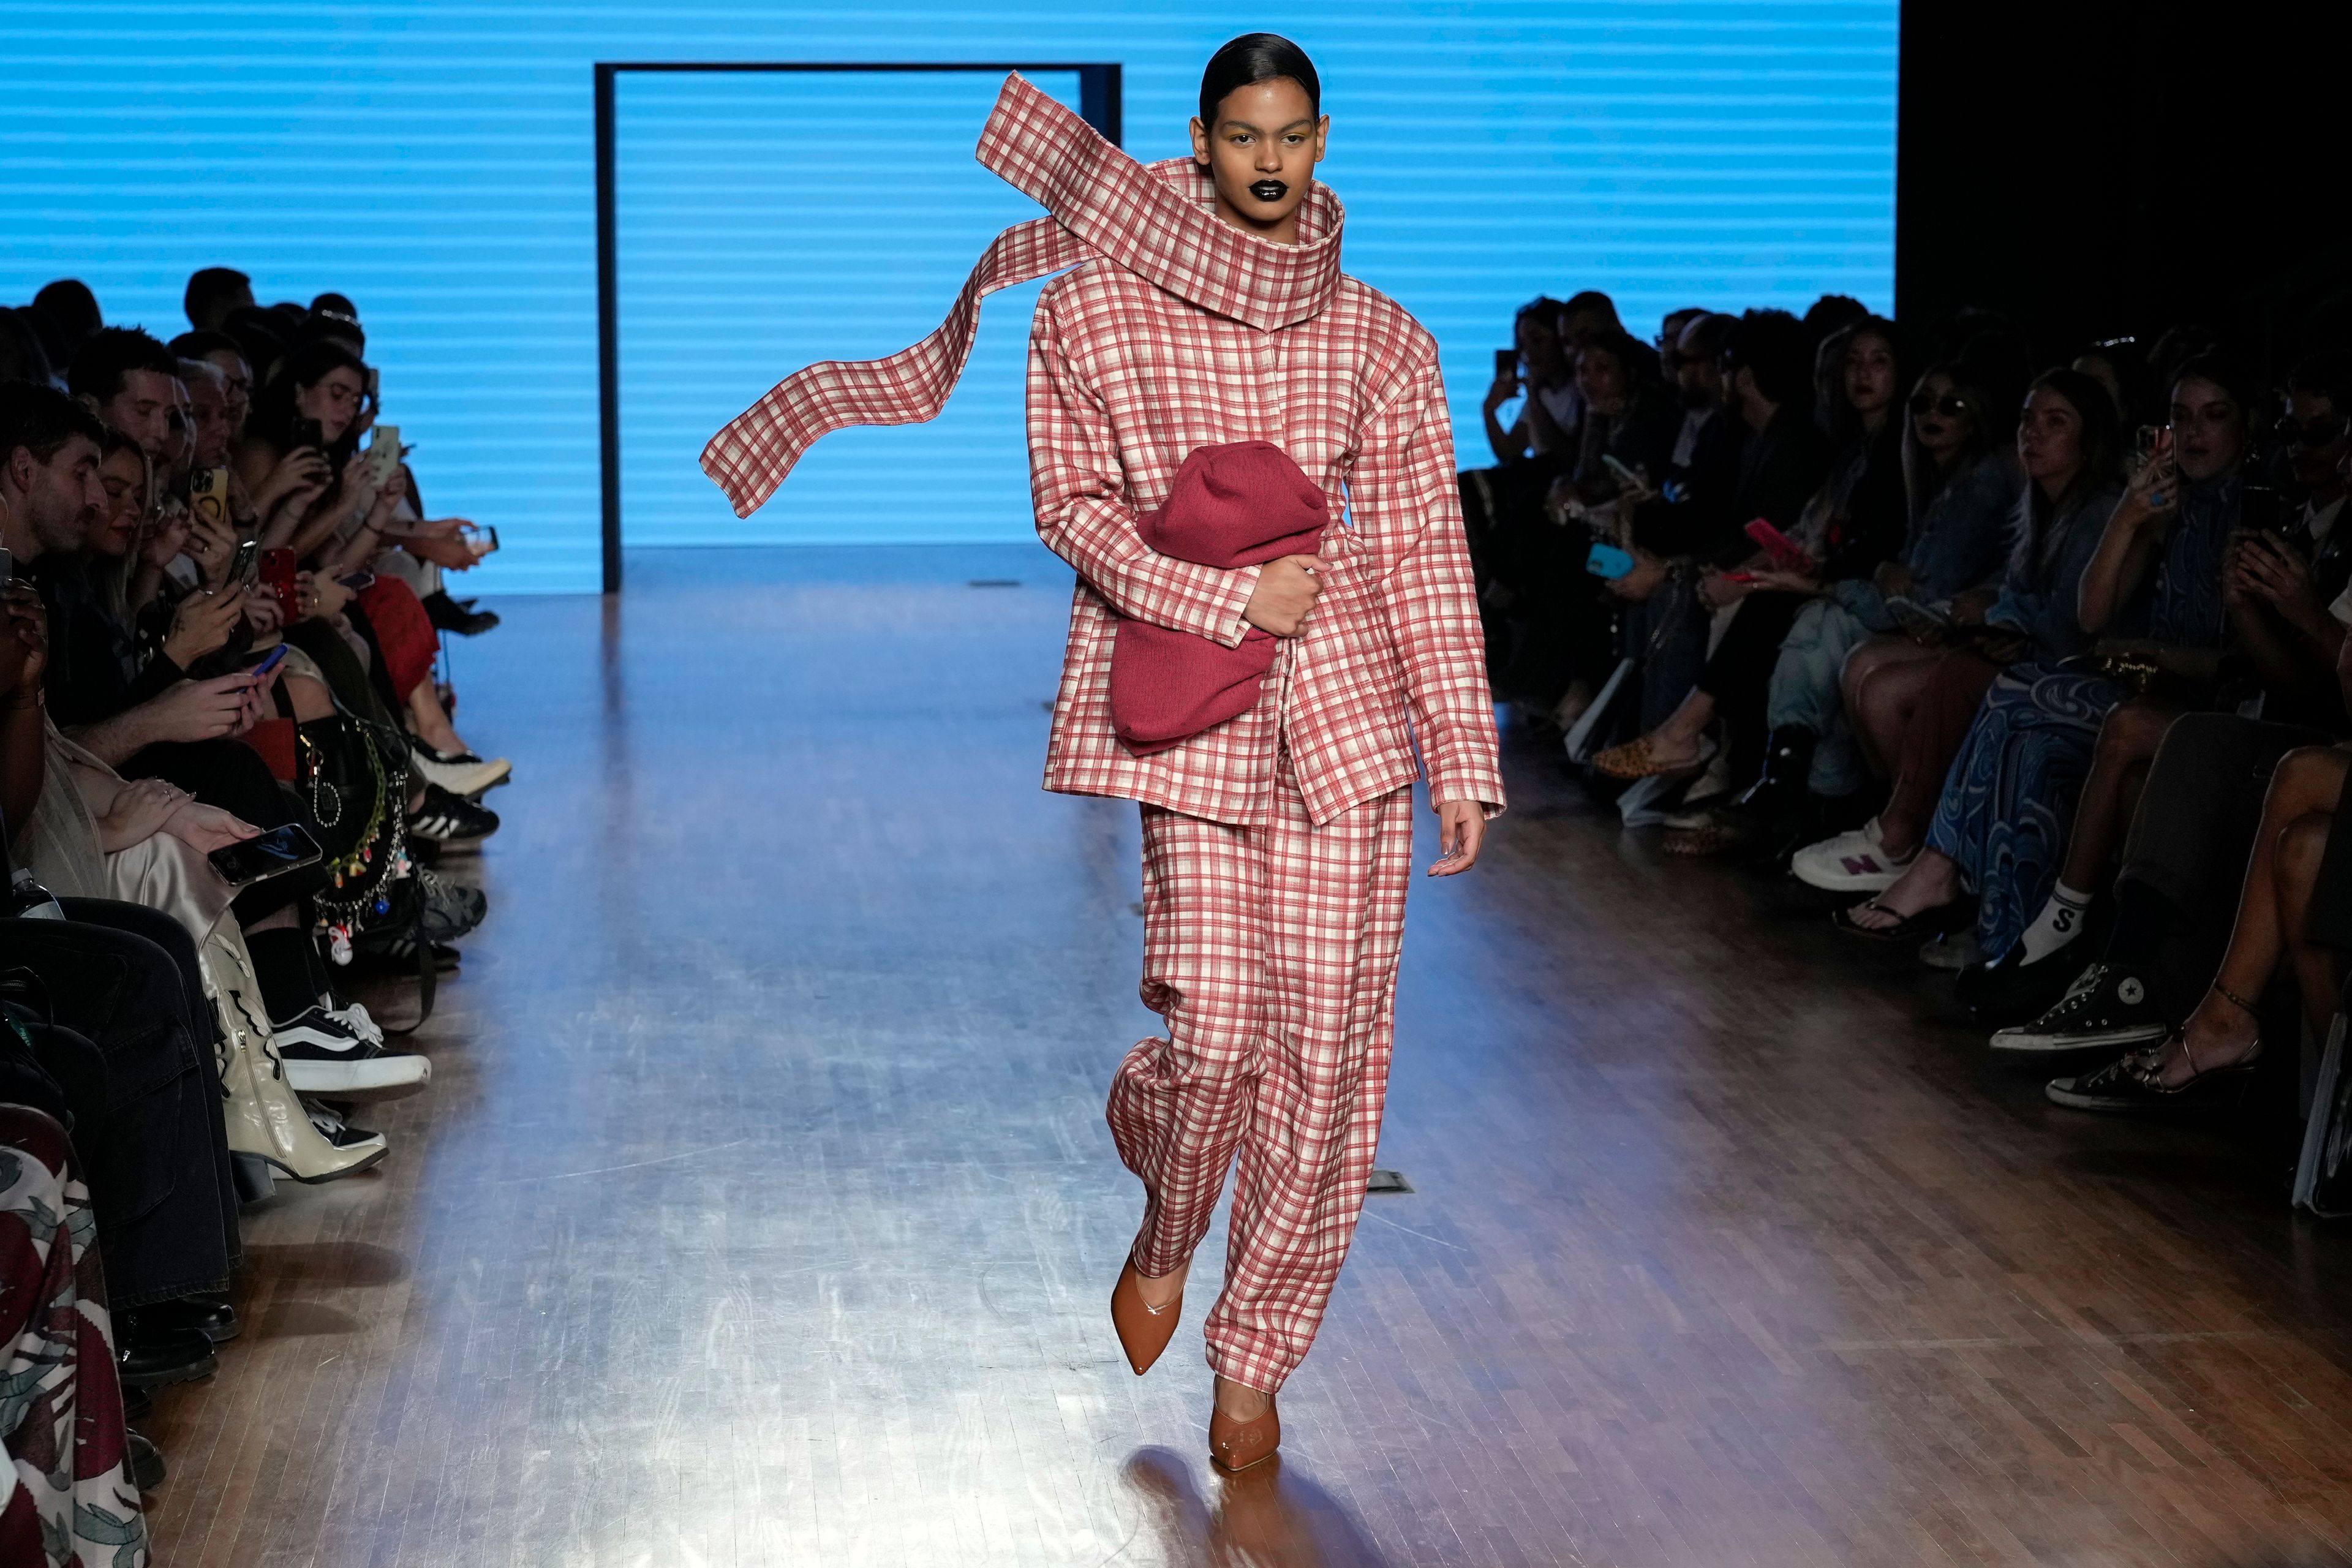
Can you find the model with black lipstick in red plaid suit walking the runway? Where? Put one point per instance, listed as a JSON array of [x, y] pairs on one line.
[[1250, 464]]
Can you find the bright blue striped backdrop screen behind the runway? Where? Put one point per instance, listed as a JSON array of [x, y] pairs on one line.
[[434, 159]]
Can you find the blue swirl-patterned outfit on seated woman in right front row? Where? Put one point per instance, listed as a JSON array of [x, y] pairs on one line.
[[2010, 800]]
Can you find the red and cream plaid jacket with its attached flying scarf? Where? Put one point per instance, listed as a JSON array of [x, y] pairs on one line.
[[1172, 333]]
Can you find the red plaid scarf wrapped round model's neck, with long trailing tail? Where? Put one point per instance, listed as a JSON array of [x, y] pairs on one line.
[[1151, 220]]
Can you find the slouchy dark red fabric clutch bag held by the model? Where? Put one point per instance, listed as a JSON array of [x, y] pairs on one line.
[[1234, 507]]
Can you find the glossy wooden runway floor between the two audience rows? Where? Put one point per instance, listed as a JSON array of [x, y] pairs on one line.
[[763, 1212]]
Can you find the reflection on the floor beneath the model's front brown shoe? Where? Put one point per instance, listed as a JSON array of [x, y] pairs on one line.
[[1267, 1517]]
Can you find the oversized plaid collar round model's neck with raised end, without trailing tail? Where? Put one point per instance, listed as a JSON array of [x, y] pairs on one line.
[[1161, 220]]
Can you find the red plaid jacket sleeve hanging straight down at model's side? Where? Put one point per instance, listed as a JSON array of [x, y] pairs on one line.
[[1405, 502]]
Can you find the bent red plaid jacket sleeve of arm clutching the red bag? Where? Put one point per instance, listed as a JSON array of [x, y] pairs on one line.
[[1083, 514]]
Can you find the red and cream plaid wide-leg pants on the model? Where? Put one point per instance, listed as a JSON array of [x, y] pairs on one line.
[[1274, 958]]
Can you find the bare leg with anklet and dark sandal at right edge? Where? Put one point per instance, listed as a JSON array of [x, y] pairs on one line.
[[2224, 1033]]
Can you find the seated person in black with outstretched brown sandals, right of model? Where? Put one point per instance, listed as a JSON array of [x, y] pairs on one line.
[[1770, 382]]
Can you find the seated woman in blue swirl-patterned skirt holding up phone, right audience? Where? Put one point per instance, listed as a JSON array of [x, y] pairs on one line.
[[2003, 822]]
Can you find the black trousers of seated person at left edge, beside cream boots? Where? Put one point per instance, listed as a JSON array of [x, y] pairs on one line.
[[147, 1101]]
